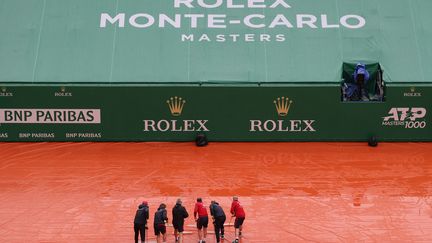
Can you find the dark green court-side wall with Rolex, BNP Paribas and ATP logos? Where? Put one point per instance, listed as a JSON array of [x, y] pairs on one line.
[[179, 113]]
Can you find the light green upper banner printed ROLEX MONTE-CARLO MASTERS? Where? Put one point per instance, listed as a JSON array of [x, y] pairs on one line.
[[162, 41]]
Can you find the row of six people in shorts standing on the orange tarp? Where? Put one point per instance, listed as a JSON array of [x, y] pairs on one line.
[[179, 214]]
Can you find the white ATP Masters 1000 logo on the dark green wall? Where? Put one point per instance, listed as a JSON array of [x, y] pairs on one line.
[[407, 117]]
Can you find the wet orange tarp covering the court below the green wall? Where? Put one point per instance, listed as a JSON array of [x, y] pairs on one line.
[[291, 192]]
